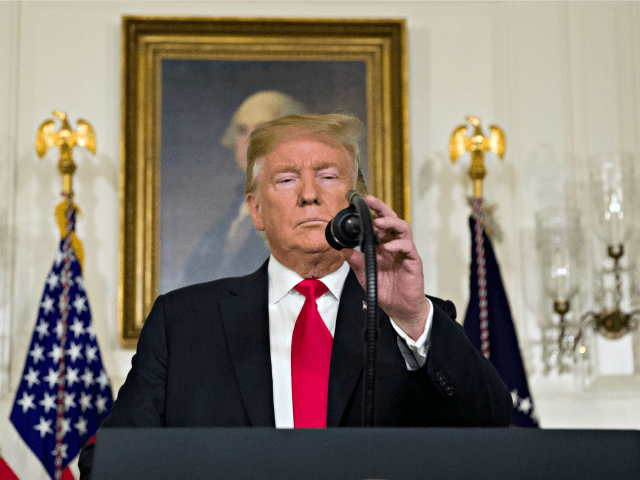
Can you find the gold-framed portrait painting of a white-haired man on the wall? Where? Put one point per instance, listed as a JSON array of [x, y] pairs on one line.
[[193, 89]]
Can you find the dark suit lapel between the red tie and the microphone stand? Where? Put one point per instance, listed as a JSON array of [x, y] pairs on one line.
[[347, 355]]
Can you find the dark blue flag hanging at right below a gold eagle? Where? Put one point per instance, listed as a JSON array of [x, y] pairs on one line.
[[504, 352]]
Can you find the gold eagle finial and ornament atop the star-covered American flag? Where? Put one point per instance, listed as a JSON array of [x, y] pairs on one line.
[[65, 139]]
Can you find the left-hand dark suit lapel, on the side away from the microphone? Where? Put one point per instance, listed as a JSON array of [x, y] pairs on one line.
[[246, 323]]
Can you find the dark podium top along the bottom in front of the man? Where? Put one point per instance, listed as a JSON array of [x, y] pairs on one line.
[[366, 453]]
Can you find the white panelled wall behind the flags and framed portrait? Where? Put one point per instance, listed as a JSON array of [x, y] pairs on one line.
[[561, 77]]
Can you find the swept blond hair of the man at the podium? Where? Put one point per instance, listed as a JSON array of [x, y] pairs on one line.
[[339, 128]]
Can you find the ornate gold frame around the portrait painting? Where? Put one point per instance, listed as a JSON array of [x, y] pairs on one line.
[[380, 44]]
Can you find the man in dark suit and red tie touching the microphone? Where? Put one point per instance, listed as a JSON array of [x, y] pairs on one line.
[[223, 353]]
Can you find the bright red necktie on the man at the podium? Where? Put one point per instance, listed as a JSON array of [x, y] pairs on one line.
[[310, 360]]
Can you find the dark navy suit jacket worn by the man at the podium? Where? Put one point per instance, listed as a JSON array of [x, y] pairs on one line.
[[203, 360]]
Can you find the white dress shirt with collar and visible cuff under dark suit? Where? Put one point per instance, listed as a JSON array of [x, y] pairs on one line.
[[285, 304]]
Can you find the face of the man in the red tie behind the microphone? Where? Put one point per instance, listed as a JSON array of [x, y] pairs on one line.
[[302, 186]]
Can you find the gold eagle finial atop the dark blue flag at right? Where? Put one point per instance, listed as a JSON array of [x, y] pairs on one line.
[[477, 144]]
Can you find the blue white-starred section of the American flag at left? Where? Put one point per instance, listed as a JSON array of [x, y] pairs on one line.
[[64, 393]]
